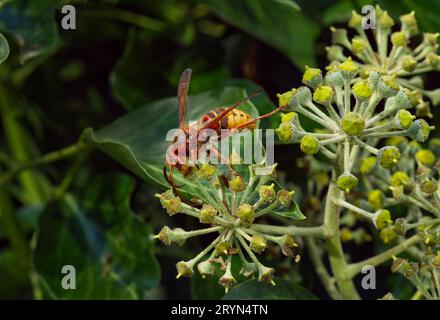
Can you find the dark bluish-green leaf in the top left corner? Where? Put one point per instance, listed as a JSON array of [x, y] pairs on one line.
[[33, 25]]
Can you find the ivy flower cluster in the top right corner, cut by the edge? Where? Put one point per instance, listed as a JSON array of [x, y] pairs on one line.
[[391, 53]]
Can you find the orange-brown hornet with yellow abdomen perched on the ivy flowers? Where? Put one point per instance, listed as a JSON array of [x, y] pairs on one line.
[[221, 118]]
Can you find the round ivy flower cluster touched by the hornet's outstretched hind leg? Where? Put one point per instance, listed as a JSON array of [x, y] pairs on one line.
[[379, 110]]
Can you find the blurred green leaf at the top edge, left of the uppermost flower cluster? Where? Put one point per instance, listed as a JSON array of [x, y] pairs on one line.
[[276, 23]]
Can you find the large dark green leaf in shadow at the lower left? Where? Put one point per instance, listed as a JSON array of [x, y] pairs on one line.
[[99, 235]]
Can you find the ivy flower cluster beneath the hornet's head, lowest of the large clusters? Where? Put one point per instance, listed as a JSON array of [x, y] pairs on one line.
[[230, 209]]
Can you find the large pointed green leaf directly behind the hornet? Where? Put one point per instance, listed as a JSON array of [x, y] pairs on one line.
[[138, 139]]
